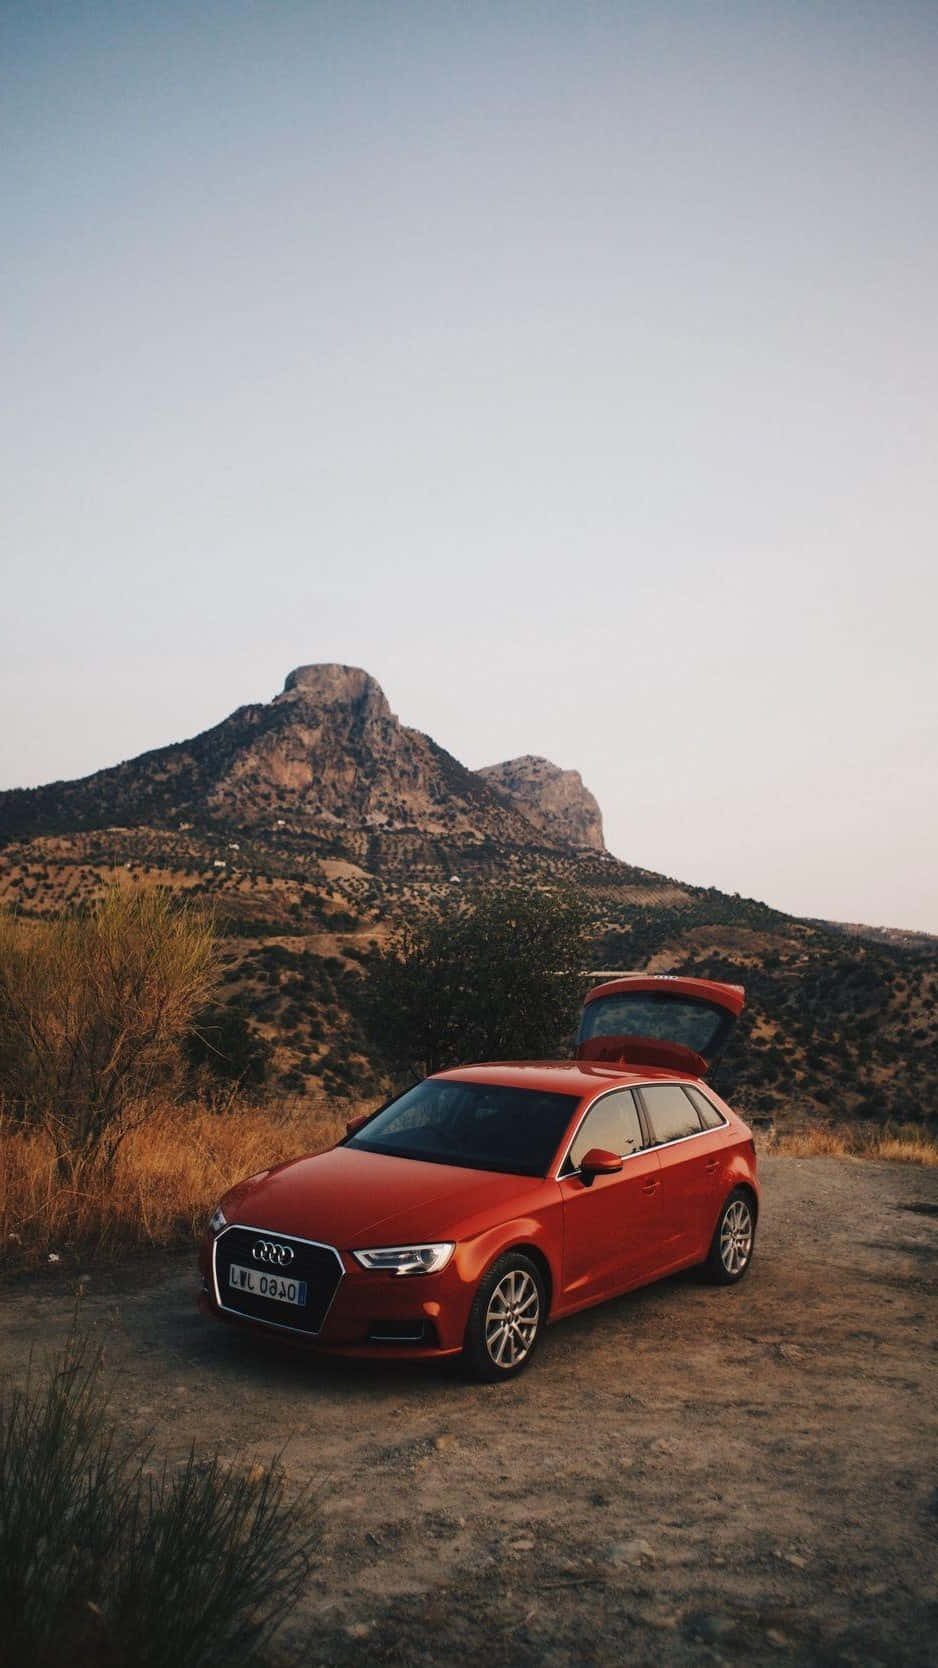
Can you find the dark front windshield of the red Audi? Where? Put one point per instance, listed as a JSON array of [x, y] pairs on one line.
[[477, 1125]]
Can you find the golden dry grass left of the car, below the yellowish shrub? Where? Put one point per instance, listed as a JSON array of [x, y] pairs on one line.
[[168, 1177]]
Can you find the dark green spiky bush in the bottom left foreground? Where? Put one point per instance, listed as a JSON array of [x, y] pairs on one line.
[[108, 1565]]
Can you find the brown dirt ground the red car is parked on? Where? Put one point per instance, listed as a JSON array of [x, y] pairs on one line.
[[687, 1475]]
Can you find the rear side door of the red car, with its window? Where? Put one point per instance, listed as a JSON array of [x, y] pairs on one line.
[[692, 1160]]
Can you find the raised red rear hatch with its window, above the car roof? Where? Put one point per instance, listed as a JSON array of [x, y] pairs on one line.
[[660, 1020]]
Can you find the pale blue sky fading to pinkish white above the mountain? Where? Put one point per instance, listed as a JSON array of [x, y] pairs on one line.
[[572, 368]]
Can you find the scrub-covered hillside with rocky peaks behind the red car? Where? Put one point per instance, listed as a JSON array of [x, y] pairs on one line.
[[316, 823]]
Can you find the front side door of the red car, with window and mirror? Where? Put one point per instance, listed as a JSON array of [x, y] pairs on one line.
[[612, 1223]]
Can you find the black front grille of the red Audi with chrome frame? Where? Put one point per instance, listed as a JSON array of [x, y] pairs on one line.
[[320, 1267]]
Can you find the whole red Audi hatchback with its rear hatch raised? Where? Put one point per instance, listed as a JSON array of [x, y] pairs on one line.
[[487, 1202]]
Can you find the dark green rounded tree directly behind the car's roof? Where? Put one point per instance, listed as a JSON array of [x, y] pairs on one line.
[[495, 977]]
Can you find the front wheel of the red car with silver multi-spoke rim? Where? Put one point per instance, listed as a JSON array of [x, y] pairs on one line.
[[507, 1320]]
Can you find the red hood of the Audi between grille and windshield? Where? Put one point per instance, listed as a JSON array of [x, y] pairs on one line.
[[355, 1198]]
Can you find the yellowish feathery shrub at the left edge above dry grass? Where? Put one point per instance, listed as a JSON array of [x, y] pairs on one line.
[[93, 1010]]
